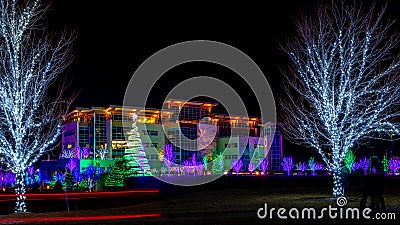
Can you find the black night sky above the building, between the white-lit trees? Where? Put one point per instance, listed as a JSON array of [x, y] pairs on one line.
[[115, 37]]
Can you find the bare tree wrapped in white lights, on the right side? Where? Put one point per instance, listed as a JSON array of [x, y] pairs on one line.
[[342, 85]]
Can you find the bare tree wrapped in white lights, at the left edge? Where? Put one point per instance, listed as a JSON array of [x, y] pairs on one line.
[[30, 62]]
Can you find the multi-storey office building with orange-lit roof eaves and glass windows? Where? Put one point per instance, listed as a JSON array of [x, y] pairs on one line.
[[191, 128]]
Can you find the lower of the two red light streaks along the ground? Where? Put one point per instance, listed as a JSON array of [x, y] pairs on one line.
[[77, 218]]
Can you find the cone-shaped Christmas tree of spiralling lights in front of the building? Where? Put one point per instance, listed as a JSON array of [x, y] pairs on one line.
[[137, 163]]
